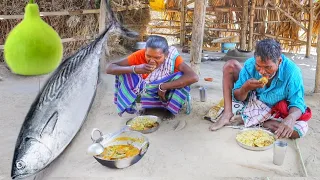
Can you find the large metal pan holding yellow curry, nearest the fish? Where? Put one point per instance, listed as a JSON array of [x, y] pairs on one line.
[[122, 149]]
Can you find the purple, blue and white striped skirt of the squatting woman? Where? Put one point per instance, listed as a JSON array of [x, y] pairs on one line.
[[129, 86]]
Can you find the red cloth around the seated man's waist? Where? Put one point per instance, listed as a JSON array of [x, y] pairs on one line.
[[281, 110]]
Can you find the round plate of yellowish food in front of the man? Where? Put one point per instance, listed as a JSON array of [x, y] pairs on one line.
[[255, 139]]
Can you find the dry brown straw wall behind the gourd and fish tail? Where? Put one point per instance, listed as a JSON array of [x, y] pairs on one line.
[[79, 26]]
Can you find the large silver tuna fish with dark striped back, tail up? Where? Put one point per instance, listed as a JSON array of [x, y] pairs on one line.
[[61, 107]]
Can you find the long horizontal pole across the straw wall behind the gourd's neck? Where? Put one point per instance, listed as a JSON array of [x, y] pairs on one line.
[[77, 12]]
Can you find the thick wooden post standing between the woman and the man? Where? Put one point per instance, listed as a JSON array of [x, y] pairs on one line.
[[197, 34]]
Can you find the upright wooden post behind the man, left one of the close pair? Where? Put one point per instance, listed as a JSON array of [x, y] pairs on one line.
[[244, 25]]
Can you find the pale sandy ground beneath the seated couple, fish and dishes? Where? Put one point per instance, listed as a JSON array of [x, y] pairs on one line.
[[191, 153]]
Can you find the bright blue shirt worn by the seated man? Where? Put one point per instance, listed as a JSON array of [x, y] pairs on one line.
[[287, 84]]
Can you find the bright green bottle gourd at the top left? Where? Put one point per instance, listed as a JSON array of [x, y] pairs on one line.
[[33, 47]]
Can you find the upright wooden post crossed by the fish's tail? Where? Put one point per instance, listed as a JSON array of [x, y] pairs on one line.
[[102, 25]]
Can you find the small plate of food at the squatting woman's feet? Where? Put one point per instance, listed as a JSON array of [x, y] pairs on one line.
[[144, 124]]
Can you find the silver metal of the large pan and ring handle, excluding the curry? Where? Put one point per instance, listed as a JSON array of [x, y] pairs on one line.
[[111, 139]]
